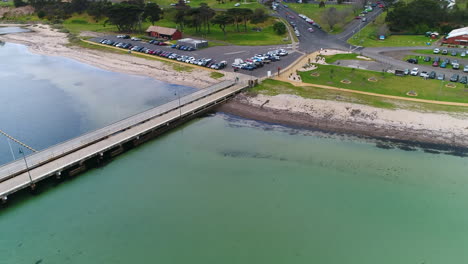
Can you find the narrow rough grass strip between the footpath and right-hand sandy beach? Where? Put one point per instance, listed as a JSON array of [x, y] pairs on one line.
[[273, 87]]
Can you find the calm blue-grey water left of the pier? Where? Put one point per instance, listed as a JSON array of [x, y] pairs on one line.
[[45, 100]]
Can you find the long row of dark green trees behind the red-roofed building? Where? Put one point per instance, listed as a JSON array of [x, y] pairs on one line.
[[129, 15]]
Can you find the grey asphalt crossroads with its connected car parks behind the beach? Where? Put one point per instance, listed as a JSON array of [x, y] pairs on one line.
[[308, 43]]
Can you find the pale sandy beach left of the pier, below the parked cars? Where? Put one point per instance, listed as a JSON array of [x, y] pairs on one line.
[[46, 41]]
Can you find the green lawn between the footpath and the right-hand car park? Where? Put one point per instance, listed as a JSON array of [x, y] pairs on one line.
[[386, 83]]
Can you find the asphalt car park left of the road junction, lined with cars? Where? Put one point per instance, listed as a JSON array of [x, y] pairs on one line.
[[223, 53]]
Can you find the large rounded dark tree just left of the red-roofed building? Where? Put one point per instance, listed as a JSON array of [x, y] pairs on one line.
[[125, 16]]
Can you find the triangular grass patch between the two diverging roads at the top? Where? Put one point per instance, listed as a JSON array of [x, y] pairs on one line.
[[315, 13]]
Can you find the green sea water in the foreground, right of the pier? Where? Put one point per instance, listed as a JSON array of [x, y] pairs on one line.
[[226, 190]]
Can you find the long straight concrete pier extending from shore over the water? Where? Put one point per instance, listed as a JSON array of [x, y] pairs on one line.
[[89, 150]]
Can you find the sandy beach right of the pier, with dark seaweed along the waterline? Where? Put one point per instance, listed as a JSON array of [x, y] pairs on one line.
[[411, 126]]
